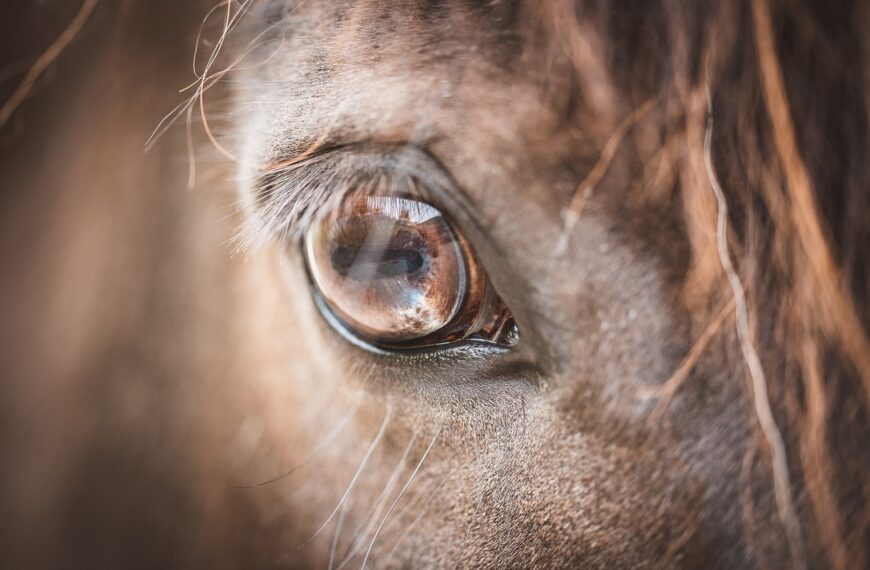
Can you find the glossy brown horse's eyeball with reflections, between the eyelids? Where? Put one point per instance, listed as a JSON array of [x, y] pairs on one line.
[[398, 275]]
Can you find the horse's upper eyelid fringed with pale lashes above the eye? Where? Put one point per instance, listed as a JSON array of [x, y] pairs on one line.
[[290, 195]]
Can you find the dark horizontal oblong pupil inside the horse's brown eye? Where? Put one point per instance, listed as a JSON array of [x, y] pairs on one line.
[[361, 264]]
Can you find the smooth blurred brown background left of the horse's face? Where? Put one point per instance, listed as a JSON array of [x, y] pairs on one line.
[[103, 331]]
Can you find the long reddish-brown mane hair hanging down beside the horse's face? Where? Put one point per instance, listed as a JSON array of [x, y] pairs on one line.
[[765, 112]]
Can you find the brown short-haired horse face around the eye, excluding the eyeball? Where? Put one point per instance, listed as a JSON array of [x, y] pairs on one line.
[[540, 454]]
